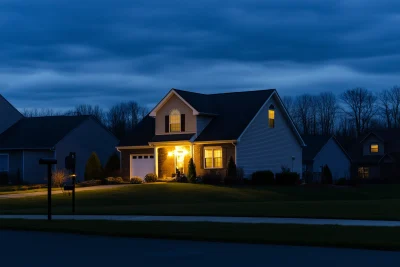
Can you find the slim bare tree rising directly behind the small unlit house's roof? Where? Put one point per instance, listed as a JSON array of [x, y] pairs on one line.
[[327, 109]]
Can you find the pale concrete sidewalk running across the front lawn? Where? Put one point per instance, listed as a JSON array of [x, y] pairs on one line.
[[138, 218]]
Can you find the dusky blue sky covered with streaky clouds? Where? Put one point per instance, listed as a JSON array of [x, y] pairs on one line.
[[57, 54]]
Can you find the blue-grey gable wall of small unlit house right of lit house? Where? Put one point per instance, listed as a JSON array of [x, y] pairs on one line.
[[333, 156]]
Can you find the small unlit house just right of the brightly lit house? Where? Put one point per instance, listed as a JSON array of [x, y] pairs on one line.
[[324, 150]]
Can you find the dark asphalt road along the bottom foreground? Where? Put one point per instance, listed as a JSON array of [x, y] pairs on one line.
[[54, 249]]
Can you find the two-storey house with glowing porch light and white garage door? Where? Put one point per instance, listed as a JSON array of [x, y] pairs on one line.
[[252, 127]]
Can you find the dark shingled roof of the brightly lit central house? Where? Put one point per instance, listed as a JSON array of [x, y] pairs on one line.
[[231, 113]]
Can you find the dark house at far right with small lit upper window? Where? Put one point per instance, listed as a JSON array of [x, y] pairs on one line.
[[375, 155]]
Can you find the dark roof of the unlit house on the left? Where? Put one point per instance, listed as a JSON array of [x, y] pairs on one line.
[[39, 132]]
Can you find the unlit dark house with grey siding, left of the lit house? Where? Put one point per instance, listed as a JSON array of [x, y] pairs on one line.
[[29, 139]]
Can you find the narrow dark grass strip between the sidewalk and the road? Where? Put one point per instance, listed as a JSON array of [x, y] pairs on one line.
[[382, 238]]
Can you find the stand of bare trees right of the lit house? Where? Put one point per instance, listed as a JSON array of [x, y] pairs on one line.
[[350, 114]]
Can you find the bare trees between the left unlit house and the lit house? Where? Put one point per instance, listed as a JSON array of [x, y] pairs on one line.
[[120, 119]]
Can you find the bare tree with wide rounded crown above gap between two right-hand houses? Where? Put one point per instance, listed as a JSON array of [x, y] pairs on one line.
[[360, 106]]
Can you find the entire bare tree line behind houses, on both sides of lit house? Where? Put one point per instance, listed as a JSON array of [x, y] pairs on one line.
[[350, 113]]
